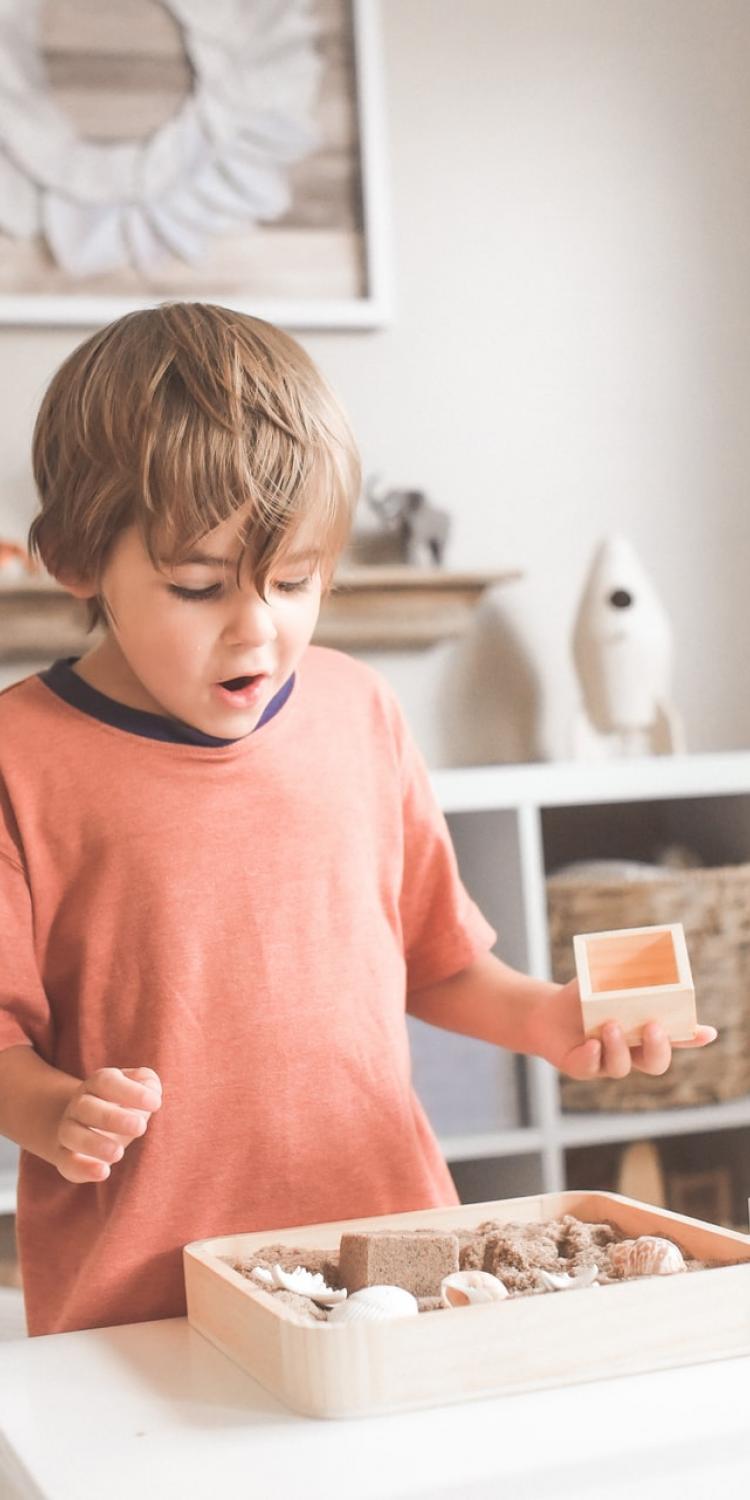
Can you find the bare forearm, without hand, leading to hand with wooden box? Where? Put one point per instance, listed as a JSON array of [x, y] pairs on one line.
[[490, 1001]]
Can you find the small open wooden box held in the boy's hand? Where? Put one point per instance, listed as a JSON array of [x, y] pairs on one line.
[[637, 976]]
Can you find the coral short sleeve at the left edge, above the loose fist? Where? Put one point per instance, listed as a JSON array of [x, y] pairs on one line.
[[25, 1010]]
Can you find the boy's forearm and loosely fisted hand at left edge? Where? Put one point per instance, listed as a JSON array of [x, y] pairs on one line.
[[79, 1127]]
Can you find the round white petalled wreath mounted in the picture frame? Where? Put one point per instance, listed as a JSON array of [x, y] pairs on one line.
[[217, 166]]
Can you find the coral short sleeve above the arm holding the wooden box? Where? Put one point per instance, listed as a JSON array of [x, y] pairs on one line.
[[443, 929]]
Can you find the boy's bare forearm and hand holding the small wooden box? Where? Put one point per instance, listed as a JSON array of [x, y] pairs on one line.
[[500, 1006]]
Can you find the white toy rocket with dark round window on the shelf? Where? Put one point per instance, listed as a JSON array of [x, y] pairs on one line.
[[623, 653]]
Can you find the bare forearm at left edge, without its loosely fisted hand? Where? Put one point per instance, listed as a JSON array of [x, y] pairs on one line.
[[32, 1100]]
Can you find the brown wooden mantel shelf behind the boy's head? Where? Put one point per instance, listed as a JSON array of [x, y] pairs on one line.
[[370, 608]]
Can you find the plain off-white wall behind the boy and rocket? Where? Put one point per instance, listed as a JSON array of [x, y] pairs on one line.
[[571, 353]]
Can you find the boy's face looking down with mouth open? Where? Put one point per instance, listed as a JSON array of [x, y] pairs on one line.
[[179, 638]]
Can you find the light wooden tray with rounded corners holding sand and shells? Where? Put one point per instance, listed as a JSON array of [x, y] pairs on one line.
[[493, 1349]]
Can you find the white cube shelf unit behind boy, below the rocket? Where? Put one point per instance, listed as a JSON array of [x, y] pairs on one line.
[[512, 826]]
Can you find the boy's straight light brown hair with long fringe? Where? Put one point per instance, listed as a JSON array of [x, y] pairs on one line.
[[176, 419]]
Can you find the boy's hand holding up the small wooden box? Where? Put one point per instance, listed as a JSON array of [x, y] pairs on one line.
[[566, 1048]]
